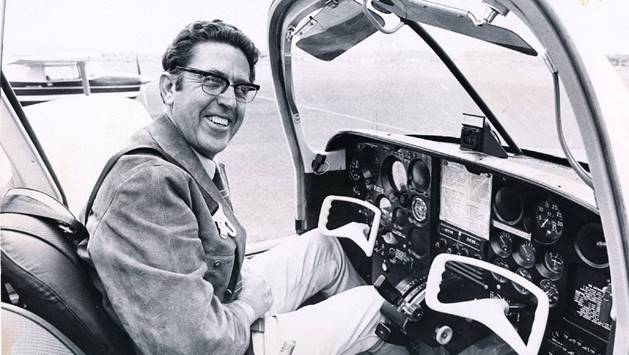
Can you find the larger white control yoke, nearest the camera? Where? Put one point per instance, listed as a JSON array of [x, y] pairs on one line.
[[489, 311]]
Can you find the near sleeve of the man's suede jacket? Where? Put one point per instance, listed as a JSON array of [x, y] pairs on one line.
[[149, 257]]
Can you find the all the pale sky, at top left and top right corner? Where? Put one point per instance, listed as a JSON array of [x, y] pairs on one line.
[[147, 26]]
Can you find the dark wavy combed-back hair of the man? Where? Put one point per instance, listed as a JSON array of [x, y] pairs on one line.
[[179, 52]]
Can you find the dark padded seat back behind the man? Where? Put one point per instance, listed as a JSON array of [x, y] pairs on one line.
[[40, 263]]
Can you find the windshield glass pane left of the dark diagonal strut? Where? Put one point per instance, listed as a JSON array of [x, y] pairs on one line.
[[389, 83]]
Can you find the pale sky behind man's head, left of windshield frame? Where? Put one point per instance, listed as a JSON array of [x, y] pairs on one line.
[[145, 26]]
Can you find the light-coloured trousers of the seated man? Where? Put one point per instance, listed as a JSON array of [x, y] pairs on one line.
[[344, 323]]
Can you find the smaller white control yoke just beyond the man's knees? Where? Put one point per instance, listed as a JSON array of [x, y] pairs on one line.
[[352, 230]]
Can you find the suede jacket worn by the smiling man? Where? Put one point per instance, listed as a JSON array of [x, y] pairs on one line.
[[158, 256]]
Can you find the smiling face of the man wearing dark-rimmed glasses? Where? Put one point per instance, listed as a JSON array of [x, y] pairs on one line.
[[209, 122]]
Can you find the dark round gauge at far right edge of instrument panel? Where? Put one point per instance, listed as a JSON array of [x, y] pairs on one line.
[[591, 246]]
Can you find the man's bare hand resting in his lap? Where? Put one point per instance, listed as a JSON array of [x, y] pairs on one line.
[[255, 292]]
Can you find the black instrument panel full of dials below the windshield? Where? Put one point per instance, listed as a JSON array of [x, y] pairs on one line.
[[435, 204]]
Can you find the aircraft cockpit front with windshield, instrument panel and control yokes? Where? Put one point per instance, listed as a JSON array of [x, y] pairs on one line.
[[459, 194]]
